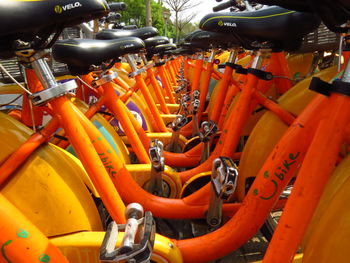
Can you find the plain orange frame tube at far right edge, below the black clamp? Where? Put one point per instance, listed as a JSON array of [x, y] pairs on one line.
[[312, 177]]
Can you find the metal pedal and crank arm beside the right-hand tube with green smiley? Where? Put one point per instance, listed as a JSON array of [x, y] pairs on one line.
[[223, 182]]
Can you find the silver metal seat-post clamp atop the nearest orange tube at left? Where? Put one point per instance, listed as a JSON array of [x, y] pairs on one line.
[[46, 95]]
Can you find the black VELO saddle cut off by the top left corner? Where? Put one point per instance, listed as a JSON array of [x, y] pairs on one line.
[[30, 21]]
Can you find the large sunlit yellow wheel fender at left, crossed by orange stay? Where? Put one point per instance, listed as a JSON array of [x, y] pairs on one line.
[[48, 188]]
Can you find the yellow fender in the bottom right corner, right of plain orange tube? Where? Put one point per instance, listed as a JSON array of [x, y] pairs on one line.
[[327, 238]]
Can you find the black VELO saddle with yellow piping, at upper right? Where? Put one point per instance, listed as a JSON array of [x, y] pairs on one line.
[[283, 28]]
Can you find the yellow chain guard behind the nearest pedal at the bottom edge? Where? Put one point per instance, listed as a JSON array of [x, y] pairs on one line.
[[84, 247]]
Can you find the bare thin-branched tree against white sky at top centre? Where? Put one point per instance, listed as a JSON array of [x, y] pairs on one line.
[[178, 6]]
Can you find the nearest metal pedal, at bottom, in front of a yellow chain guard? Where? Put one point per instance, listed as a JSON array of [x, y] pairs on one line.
[[140, 226]]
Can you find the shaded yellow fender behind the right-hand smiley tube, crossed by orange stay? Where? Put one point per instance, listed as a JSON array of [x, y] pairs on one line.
[[269, 129]]
